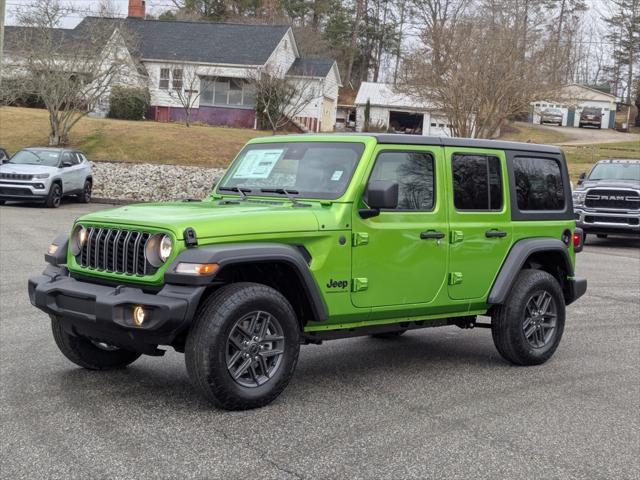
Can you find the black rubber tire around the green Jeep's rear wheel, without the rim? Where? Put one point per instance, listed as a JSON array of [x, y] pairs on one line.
[[506, 332]]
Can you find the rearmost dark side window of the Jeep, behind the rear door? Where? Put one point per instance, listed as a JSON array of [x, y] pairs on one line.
[[538, 184]]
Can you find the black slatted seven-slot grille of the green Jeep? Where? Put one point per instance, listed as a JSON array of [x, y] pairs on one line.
[[114, 250]]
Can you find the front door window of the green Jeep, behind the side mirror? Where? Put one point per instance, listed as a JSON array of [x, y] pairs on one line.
[[414, 172]]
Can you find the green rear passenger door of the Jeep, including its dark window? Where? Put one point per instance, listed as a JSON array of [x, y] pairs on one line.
[[479, 218]]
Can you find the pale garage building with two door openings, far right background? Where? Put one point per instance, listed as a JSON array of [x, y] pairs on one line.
[[571, 100]]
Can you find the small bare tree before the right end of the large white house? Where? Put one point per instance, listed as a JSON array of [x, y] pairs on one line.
[[280, 100]]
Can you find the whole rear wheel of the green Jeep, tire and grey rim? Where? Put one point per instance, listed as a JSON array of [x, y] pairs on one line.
[[528, 327]]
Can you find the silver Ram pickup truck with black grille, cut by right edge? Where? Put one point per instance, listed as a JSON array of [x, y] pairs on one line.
[[607, 200]]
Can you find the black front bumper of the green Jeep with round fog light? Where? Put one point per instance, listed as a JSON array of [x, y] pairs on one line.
[[105, 313]]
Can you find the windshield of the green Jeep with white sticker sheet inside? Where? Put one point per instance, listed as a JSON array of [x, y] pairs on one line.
[[306, 169]]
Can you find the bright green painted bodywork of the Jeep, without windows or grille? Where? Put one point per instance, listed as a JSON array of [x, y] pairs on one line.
[[370, 271]]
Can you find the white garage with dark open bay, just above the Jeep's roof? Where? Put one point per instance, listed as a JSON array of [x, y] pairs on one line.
[[398, 112]]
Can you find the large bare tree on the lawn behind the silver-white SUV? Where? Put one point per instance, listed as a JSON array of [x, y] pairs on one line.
[[70, 71]]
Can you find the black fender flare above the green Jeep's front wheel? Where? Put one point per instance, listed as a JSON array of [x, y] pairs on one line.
[[244, 253]]
